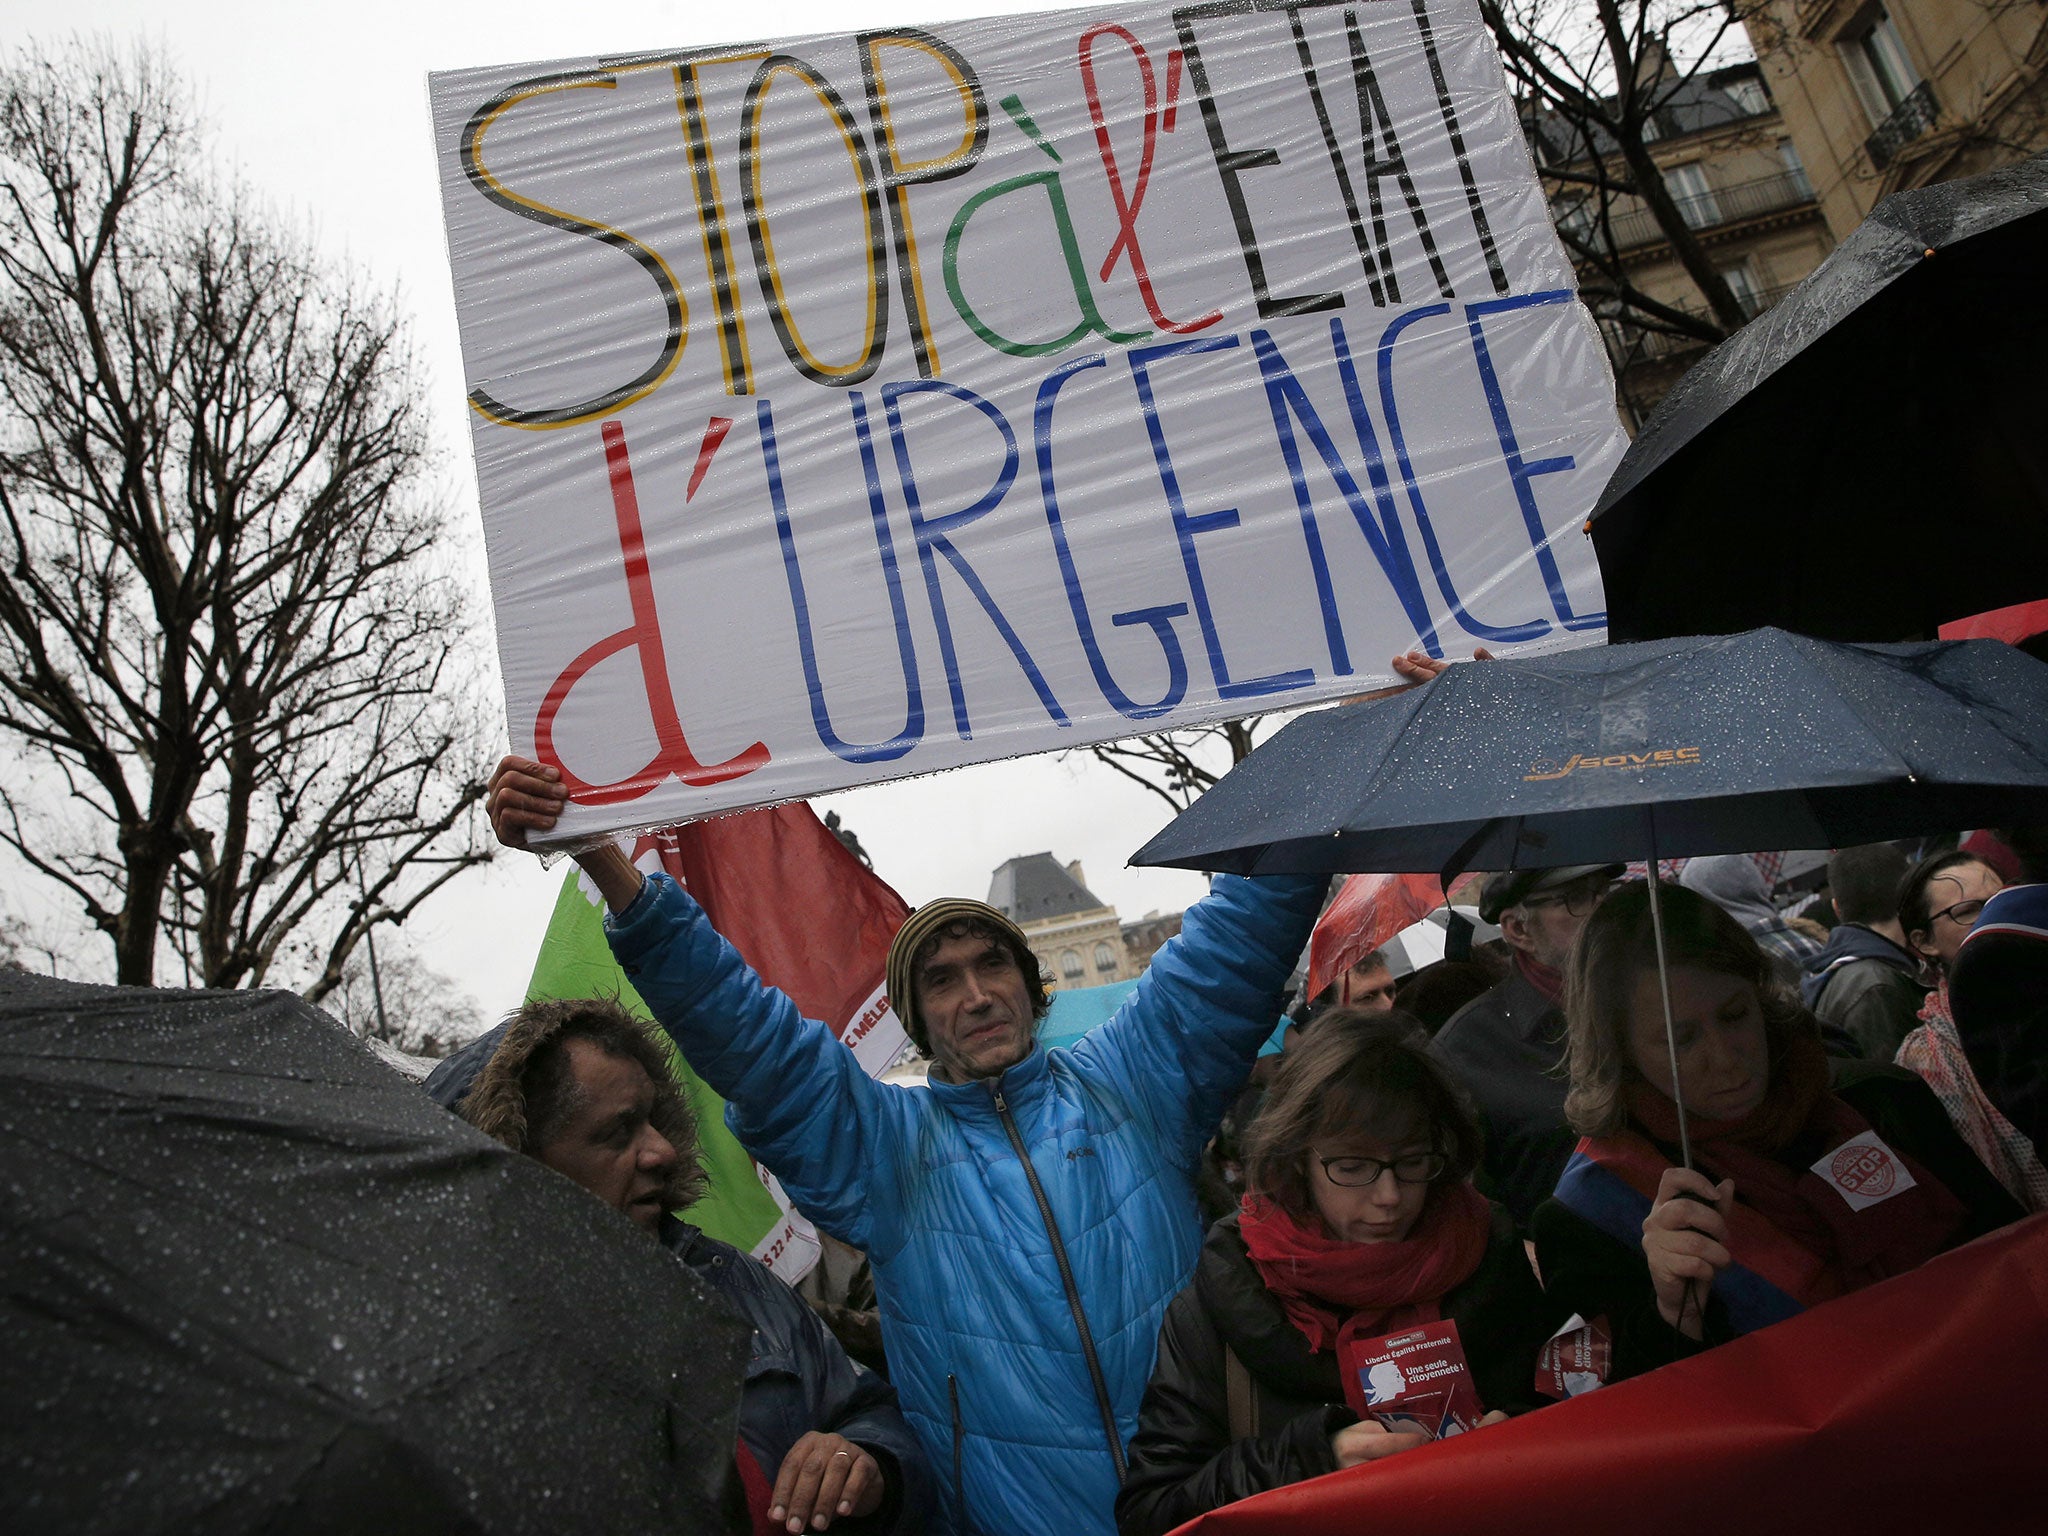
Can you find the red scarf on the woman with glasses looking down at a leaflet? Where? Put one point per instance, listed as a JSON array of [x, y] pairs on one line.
[[1338, 1291]]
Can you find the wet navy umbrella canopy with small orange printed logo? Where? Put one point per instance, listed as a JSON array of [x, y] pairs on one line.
[[1697, 746]]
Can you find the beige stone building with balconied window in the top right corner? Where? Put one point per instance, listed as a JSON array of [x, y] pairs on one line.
[[1883, 95]]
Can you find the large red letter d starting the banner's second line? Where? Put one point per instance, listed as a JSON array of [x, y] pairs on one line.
[[673, 759]]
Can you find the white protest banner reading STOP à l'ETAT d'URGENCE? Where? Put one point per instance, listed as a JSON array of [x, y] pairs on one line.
[[859, 407]]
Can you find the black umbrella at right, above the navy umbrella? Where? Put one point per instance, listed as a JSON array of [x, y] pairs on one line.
[[1867, 460]]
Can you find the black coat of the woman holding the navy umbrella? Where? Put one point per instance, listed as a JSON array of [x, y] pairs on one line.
[[1590, 1273]]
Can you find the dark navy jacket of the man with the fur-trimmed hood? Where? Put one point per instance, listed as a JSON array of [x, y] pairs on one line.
[[802, 1379]]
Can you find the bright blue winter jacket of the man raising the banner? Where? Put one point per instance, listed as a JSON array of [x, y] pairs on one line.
[[982, 1342]]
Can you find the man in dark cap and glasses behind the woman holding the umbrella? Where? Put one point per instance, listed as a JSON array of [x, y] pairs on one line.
[[1508, 1046]]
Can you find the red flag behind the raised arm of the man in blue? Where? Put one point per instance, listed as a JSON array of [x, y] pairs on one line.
[[808, 914]]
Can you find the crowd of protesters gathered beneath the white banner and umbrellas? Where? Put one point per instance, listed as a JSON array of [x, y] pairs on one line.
[[1068, 1353]]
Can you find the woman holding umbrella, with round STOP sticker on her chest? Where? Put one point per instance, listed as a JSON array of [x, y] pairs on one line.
[[1801, 1191]]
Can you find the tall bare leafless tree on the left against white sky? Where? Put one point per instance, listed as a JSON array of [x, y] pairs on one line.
[[222, 620]]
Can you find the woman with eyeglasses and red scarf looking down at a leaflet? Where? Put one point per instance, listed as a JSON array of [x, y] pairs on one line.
[[1359, 1224]]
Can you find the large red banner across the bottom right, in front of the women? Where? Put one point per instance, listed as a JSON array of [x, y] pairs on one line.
[[1908, 1408]]
